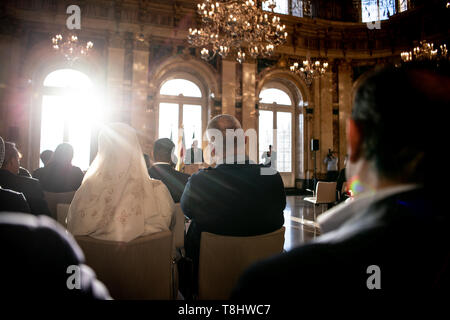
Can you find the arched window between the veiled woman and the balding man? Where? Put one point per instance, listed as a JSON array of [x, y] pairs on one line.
[[181, 105]]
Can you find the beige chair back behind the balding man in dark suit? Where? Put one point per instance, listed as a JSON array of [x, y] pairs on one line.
[[223, 259]]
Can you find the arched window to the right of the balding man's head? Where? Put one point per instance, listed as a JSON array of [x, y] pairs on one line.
[[276, 112]]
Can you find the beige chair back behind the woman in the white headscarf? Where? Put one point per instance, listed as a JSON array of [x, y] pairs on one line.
[[140, 269]]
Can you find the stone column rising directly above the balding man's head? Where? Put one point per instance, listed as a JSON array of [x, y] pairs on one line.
[[229, 87]]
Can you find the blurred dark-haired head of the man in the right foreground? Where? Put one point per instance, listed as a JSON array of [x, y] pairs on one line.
[[385, 135]]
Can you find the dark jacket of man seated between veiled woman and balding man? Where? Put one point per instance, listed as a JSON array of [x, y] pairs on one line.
[[174, 180]]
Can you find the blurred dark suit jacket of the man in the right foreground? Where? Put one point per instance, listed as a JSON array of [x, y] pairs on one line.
[[404, 235]]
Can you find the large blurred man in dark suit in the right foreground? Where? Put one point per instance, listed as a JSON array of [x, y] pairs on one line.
[[399, 241]]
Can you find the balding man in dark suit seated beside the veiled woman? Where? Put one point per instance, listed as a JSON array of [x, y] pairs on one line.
[[233, 198]]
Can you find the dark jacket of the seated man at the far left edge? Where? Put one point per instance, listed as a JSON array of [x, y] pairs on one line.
[[30, 188]]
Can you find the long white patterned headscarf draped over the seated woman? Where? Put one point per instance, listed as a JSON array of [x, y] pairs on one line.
[[117, 200]]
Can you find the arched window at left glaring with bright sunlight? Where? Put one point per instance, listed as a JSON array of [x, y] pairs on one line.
[[69, 108]]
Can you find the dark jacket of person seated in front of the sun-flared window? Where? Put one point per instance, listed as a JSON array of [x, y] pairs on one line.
[[55, 178]]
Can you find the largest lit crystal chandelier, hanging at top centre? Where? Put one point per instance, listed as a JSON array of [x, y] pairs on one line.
[[239, 26]]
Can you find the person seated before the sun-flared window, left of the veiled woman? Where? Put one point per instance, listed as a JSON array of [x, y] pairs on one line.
[[59, 175]]
